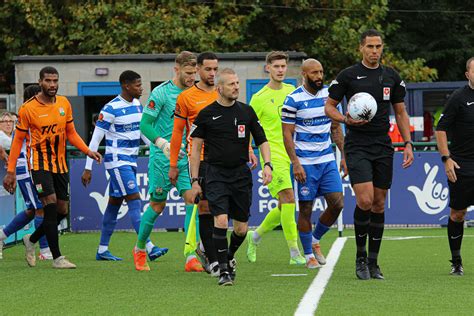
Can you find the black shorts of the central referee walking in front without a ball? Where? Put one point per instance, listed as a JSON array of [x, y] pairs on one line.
[[229, 191]]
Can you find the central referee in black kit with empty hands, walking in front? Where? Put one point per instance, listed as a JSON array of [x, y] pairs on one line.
[[225, 127]]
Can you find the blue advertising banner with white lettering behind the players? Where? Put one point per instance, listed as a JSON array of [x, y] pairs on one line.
[[419, 196]]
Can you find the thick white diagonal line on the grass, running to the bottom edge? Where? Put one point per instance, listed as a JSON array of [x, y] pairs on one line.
[[310, 300]]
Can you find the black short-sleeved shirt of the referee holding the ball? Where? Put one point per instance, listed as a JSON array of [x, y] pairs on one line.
[[383, 83]]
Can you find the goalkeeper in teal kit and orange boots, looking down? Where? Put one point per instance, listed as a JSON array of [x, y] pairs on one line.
[[157, 125]]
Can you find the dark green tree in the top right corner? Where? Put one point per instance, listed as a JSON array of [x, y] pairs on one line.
[[440, 31]]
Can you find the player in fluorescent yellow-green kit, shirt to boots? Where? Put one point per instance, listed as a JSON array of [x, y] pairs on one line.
[[267, 104]]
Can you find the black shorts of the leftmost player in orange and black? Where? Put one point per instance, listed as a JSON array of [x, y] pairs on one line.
[[48, 183]]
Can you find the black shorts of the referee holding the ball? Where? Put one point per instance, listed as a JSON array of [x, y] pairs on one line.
[[369, 159]]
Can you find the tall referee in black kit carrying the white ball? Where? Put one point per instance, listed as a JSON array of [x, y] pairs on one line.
[[368, 148]]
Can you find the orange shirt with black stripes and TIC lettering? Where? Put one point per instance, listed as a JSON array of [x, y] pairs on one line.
[[47, 126]]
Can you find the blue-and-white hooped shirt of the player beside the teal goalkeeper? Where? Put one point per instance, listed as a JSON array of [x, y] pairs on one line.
[[120, 120]]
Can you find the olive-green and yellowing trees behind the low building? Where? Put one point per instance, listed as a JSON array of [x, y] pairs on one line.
[[327, 29]]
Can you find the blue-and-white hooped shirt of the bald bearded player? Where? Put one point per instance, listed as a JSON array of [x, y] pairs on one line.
[[312, 126]]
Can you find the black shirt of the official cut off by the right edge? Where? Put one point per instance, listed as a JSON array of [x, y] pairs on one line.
[[458, 121]]
